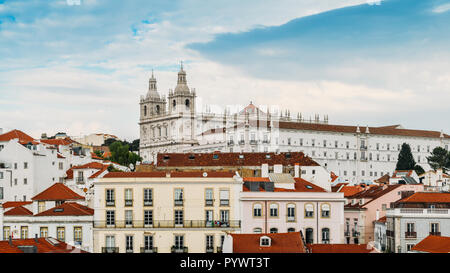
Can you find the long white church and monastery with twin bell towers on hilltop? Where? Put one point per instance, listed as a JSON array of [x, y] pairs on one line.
[[355, 154]]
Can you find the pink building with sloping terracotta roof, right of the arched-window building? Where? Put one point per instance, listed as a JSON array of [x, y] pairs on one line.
[[367, 206]]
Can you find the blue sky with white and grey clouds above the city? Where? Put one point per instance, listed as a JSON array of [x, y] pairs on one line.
[[80, 66]]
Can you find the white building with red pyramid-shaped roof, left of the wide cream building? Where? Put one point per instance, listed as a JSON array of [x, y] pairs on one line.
[[56, 212]]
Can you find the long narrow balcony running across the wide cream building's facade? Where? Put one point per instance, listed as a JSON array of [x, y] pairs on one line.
[[168, 224]]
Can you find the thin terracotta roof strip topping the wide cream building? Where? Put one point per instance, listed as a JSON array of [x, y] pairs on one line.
[[172, 174]]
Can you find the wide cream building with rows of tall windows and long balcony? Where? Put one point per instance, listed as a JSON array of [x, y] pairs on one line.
[[165, 211]]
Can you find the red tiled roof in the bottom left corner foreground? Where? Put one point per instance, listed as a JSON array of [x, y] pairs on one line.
[[44, 245]]
